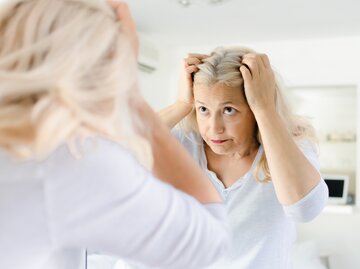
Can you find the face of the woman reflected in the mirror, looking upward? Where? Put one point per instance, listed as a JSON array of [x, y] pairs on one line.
[[225, 121]]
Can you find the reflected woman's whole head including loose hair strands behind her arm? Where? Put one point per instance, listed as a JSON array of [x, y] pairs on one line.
[[221, 113]]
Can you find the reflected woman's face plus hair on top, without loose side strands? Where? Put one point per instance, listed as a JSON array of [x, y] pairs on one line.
[[223, 117]]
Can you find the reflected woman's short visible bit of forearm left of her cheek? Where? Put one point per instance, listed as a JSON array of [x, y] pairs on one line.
[[173, 114]]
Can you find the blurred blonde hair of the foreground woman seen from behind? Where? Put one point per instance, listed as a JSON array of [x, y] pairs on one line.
[[66, 71]]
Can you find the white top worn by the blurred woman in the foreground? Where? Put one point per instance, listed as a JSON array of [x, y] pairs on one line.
[[105, 201]]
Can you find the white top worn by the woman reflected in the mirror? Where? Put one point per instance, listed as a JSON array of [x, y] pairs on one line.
[[263, 230]]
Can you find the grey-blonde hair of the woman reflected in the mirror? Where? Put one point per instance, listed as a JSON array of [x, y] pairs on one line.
[[222, 66]]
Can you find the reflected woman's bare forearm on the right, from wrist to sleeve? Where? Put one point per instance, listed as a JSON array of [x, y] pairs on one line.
[[292, 174]]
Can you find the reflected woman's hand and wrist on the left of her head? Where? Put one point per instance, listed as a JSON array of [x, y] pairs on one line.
[[190, 66]]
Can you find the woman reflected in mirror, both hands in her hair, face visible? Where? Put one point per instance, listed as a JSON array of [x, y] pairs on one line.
[[259, 156]]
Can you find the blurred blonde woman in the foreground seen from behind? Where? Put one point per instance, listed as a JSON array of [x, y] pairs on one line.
[[72, 130]]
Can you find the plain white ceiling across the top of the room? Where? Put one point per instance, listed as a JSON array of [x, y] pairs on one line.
[[246, 21]]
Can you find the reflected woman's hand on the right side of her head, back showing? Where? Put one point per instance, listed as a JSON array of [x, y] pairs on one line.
[[259, 82]]
